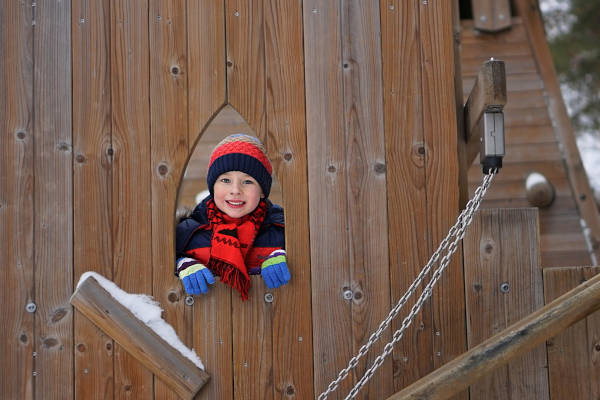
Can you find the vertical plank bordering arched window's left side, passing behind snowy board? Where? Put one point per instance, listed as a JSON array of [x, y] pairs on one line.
[[169, 139]]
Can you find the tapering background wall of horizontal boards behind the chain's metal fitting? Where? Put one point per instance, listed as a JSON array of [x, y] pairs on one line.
[[531, 142]]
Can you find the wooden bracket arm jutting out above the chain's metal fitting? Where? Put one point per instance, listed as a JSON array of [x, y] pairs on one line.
[[488, 95]]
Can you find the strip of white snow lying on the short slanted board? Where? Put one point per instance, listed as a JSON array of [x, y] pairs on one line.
[[147, 310]]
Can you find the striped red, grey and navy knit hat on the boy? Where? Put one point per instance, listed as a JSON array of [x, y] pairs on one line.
[[240, 152]]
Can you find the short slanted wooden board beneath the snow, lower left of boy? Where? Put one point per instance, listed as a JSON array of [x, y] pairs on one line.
[[178, 372]]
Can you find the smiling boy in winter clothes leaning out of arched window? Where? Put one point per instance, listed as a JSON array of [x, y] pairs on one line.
[[235, 231]]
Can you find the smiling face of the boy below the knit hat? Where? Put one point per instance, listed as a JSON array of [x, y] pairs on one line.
[[236, 193]]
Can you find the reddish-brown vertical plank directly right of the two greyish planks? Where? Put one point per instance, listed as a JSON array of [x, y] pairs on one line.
[[406, 196]]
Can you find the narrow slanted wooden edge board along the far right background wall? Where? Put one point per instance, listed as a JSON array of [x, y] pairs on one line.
[[532, 19]]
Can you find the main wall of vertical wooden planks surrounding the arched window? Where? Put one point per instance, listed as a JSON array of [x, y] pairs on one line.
[[102, 103]]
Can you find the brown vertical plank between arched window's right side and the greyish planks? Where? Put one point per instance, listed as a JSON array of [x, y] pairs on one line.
[[286, 140]]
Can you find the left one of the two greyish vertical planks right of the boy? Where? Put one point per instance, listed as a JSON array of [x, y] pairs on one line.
[[327, 179]]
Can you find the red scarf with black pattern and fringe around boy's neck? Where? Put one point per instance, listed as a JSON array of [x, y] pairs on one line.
[[231, 240]]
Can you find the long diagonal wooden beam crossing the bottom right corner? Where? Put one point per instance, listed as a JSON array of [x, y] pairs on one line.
[[514, 341]]
